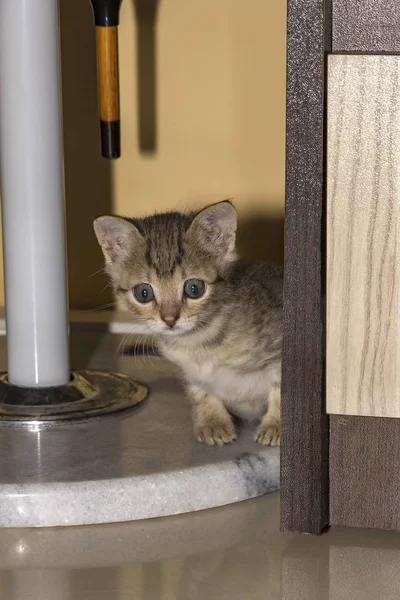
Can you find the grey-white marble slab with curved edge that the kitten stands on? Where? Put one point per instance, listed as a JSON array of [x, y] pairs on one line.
[[135, 465]]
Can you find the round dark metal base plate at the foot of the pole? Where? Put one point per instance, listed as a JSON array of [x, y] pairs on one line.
[[89, 394]]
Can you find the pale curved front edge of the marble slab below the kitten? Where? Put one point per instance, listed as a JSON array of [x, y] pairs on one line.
[[134, 498]]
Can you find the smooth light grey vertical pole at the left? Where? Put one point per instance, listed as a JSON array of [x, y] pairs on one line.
[[32, 192]]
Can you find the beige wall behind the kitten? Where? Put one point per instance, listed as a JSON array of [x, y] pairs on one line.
[[220, 106]]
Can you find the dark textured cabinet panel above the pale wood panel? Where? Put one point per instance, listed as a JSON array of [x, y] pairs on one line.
[[366, 26]]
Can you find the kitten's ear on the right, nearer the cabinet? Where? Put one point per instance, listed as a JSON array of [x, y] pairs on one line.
[[215, 227]]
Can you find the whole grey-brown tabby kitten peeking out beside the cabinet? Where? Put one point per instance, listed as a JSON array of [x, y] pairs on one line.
[[218, 320]]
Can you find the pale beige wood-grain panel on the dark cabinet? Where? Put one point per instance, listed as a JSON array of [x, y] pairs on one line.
[[363, 187]]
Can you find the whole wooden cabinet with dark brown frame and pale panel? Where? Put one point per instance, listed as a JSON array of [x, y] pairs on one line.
[[341, 405]]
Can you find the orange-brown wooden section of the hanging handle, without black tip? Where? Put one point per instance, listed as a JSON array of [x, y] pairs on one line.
[[108, 72]]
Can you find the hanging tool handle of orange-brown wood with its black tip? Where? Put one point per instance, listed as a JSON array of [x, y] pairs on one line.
[[108, 86]]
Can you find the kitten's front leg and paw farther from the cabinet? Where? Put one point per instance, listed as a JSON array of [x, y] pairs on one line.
[[212, 423]]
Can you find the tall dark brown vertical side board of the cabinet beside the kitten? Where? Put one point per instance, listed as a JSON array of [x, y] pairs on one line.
[[304, 452]]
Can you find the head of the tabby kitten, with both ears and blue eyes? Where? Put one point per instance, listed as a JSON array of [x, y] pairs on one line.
[[167, 268]]
